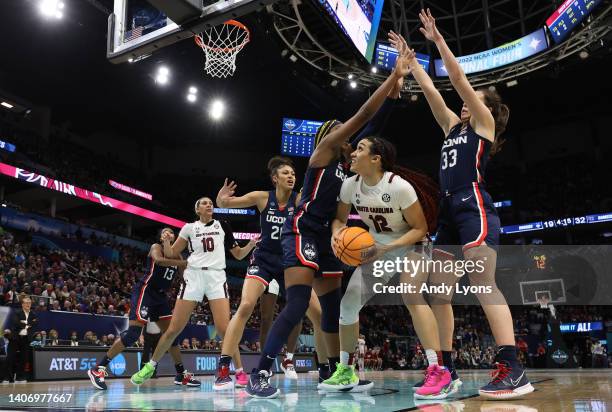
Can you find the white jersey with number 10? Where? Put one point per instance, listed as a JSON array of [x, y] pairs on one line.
[[207, 243]]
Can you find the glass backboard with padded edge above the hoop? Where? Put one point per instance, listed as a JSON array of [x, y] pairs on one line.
[[138, 28]]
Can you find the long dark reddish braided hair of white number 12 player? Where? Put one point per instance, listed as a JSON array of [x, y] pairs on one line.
[[426, 189]]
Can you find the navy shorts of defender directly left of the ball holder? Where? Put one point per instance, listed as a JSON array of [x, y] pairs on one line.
[[307, 244]]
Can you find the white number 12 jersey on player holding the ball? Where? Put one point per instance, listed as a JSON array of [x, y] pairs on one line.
[[381, 206]]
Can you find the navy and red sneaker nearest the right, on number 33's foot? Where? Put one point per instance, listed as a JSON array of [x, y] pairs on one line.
[[507, 382]]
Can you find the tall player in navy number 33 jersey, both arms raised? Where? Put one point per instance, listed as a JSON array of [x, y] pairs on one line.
[[467, 215]]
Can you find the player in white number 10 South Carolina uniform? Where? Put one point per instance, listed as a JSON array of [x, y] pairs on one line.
[[208, 239]]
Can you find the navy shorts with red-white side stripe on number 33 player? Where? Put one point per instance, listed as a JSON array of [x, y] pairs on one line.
[[468, 219]]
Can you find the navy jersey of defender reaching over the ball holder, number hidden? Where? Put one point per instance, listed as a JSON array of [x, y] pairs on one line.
[[320, 192]]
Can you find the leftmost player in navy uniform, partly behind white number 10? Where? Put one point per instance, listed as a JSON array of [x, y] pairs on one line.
[[149, 303]]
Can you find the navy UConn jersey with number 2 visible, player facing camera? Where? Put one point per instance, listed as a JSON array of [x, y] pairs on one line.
[[271, 221]]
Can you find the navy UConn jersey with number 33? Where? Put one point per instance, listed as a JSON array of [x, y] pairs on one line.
[[463, 159]]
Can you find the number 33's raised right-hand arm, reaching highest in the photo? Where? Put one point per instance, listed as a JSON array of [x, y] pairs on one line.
[[479, 112]]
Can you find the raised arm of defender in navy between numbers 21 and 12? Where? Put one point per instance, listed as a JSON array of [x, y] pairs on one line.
[[326, 150]]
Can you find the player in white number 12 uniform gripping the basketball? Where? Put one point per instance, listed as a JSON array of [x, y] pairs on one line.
[[388, 203]]
